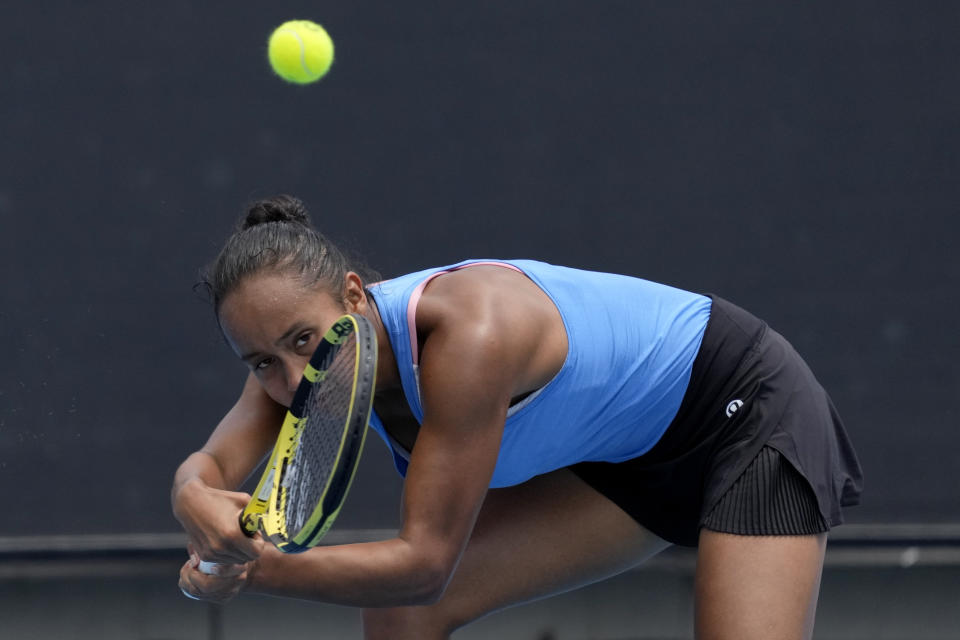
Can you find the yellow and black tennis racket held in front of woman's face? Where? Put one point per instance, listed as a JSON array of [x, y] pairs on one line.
[[315, 457]]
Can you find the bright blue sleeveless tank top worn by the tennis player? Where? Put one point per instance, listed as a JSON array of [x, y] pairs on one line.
[[631, 347]]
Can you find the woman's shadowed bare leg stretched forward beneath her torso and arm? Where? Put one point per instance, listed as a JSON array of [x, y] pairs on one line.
[[549, 535]]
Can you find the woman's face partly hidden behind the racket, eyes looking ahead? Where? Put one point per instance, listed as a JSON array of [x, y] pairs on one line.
[[273, 322]]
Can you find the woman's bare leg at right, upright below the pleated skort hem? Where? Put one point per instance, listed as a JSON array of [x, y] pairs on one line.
[[757, 587]]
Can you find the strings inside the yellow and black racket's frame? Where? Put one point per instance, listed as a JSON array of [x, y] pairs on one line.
[[326, 411]]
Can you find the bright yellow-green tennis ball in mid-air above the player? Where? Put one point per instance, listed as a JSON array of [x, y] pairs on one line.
[[300, 51]]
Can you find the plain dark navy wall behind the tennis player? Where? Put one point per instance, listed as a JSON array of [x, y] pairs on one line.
[[798, 158]]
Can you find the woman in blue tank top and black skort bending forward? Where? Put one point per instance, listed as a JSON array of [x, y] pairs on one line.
[[554, 427]]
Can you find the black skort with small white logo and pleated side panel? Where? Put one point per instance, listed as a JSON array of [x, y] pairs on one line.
[[753, 422]]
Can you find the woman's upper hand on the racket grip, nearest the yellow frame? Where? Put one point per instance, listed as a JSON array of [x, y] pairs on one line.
[[211, 518]]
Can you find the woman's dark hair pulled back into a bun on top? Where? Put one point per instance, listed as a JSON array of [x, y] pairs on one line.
[[276, 234]]
